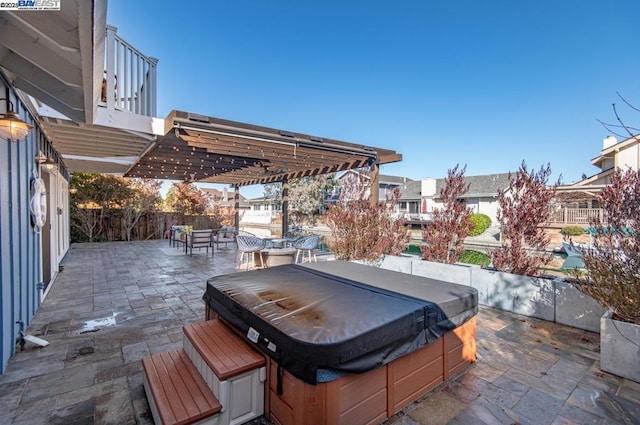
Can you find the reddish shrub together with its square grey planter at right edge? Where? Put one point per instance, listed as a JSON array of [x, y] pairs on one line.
[[613, 274]]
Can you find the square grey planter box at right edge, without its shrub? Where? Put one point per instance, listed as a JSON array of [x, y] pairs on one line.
[[620, 347]]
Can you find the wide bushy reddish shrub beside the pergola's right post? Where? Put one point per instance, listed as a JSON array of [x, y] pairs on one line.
[[362, 231]]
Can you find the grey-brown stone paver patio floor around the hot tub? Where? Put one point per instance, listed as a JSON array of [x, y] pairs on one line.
[[118, 302]]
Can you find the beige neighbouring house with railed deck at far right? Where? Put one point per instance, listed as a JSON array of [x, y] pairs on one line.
[[577, 203]]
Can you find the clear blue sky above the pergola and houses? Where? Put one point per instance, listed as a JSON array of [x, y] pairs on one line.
[[482, 83]]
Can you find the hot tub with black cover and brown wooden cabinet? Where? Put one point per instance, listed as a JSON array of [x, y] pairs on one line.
[[347, 343]]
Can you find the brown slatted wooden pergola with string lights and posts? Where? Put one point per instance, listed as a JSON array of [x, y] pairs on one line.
[[206, 149]]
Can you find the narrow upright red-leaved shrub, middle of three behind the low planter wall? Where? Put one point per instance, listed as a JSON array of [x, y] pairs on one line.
[[444, 237]]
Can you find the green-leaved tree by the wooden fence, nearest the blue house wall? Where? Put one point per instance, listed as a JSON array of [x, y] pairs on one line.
[[94, 195]]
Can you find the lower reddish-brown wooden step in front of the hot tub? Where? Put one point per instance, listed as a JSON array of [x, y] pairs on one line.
[[177, 394]]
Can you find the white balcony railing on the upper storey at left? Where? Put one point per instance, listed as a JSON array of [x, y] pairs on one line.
[[130, 81]]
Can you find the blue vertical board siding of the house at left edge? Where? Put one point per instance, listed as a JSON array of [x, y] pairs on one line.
[[20, 245]]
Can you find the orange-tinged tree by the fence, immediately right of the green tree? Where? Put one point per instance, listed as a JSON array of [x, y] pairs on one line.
[[144, 199]]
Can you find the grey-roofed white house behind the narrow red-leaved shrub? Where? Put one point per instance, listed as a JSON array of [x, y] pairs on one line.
[[419, 198]]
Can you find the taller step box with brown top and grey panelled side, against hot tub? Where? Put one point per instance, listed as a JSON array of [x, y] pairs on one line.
[[231, 368]]
